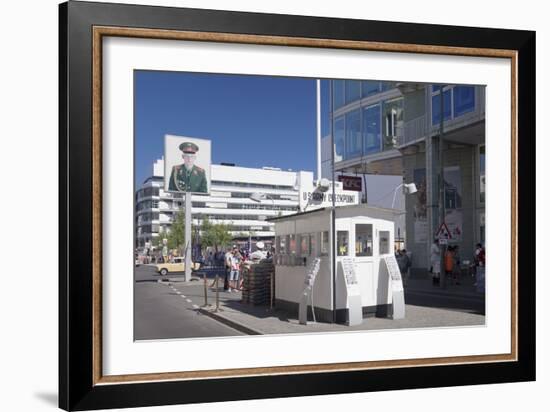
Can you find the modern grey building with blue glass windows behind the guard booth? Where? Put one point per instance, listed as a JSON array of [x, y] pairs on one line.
[[392, 128]]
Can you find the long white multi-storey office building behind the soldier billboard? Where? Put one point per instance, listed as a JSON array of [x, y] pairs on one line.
[[239, 196]]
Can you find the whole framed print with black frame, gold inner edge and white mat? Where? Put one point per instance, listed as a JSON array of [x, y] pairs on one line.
[[258, 205]]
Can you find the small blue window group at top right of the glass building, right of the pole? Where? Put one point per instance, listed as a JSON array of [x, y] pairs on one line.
[[457, 100]]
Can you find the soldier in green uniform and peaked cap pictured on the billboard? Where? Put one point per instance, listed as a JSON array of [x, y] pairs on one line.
[[188, 177]]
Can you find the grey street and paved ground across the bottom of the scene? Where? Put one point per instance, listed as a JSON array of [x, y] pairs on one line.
[[166, 307]]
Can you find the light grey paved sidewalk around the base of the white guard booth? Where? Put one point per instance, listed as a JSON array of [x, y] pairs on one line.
[[260, 320]]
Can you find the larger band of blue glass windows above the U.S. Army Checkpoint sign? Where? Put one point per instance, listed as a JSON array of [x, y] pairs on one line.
[[368, 130]]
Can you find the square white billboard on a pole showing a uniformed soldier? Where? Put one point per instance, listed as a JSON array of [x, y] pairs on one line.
[[186, 164]]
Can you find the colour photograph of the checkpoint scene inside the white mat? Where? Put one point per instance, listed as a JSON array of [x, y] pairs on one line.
[[286, 153]]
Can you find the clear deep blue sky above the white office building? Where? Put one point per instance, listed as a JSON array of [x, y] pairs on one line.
[[252, 121]]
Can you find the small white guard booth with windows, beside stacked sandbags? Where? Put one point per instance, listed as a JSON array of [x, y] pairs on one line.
[[365, 282]]
